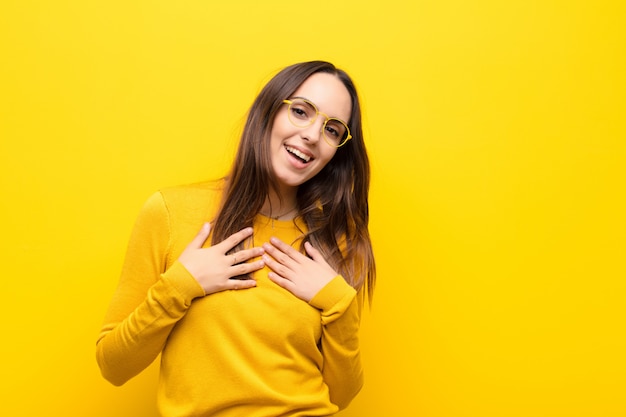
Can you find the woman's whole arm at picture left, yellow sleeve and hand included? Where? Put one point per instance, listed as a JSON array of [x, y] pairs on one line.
[[155, 291]]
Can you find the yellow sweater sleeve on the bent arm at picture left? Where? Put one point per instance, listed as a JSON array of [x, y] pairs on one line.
[[149, 299]]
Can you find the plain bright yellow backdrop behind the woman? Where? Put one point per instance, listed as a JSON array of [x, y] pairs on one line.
[[498, 144]]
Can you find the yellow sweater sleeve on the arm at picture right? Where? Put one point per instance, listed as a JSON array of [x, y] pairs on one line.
[[341, 315]]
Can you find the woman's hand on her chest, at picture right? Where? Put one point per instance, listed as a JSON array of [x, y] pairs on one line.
[[302, 276]]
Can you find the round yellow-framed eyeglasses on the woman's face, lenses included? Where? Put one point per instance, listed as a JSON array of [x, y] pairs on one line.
[[303, 113]]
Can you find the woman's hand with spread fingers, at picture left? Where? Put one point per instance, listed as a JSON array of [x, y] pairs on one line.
[[212, 268]]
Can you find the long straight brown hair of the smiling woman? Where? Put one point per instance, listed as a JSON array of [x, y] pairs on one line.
[[333, 204]]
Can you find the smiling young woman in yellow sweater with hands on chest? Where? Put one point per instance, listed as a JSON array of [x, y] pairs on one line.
[[257, 314]]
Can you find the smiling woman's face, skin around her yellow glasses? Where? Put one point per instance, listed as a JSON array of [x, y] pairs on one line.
[[298, 154]]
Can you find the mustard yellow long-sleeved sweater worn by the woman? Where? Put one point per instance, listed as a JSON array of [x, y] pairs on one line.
[[259, 352]]
